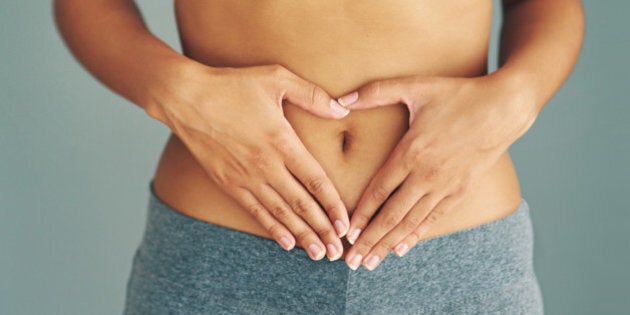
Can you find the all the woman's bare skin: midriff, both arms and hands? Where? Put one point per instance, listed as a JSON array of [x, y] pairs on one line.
[[338, 47]]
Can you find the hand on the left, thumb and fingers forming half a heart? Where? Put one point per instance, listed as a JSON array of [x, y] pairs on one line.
[[232, 121]]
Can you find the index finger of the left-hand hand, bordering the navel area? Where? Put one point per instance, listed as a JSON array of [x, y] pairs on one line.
[[310, 173]]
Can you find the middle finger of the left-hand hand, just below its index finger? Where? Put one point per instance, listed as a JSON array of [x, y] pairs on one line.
[[304, 206]]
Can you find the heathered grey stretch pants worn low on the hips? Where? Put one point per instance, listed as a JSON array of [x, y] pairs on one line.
[[187, 266]]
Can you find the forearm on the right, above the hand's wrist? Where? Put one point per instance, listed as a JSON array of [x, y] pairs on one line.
[[540, 44]]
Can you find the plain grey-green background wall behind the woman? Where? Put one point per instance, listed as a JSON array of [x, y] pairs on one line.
[[76, 159]]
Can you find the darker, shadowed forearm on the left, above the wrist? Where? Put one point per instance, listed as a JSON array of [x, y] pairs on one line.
[[111, 40]]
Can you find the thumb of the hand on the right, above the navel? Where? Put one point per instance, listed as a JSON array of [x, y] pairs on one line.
[[375, 94]]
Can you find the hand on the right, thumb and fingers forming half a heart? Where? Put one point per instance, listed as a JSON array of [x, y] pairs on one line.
[[458, 128]]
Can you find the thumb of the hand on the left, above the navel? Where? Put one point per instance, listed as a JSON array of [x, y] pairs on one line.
[[311, 97]]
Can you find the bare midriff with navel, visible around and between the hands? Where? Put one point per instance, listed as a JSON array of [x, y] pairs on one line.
[[338, 45]]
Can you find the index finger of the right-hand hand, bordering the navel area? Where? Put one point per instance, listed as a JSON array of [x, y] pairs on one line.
[[378, 190]]
